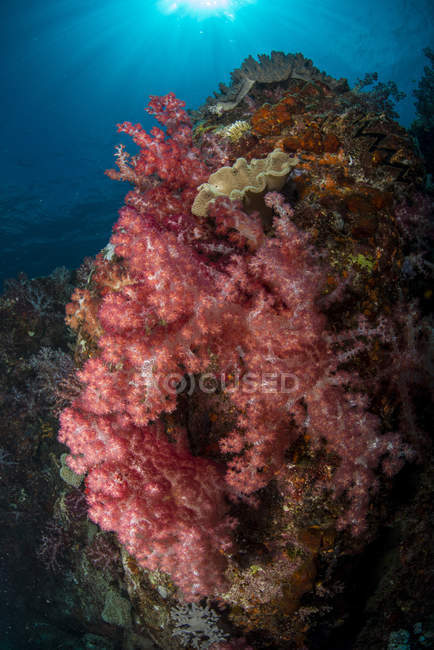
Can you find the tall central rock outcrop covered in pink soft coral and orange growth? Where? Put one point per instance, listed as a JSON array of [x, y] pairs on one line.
[[214, 378]]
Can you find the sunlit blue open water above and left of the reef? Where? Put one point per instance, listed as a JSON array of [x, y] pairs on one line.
[[71, 69]]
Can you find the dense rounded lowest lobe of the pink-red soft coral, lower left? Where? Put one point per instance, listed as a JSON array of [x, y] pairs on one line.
[[166, 506]]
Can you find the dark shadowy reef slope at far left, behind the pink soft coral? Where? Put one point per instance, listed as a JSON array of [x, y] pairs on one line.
[[52, 595]]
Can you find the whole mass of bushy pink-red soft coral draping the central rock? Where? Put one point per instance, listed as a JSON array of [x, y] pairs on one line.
[[182, 297]]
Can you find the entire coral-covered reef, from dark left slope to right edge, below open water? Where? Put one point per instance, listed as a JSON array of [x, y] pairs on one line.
[[247, 419]]
